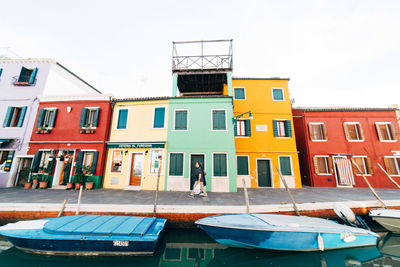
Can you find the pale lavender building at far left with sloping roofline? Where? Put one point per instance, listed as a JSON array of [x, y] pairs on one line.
[[22, 81]]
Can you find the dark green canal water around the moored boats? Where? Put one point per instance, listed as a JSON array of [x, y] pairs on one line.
[[192, 247]]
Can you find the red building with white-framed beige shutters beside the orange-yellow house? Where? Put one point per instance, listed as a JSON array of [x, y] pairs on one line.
[[328, 138]]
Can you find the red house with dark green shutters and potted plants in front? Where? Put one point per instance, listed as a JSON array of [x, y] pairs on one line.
[[70, 134]]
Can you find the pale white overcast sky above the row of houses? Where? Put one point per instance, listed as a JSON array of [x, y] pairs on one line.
[[336, 52]]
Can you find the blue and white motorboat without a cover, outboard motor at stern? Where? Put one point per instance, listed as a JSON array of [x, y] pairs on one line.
[[284, 232]]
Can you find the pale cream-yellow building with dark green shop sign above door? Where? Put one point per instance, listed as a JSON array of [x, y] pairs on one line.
[[137, 146]]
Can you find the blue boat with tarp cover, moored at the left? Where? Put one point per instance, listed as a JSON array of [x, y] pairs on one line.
[[91, 235]]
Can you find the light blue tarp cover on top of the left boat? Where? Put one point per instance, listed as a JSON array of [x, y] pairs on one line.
[[100, 225]]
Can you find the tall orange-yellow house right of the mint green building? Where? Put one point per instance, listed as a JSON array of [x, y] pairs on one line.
[[264, 133]]
